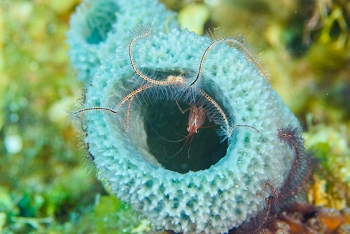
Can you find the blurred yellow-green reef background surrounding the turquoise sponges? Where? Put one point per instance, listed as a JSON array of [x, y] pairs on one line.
[[46, 186]]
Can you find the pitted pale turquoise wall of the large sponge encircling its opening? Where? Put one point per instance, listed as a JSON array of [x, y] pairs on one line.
[[211, 200]]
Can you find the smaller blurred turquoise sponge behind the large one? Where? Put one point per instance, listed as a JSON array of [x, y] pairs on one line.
[[97, 24]]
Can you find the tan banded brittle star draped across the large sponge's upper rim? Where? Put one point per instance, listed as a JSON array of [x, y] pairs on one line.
[[179, 84]]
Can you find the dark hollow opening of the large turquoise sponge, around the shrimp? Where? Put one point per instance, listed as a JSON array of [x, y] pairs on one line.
[[166, 129]]
